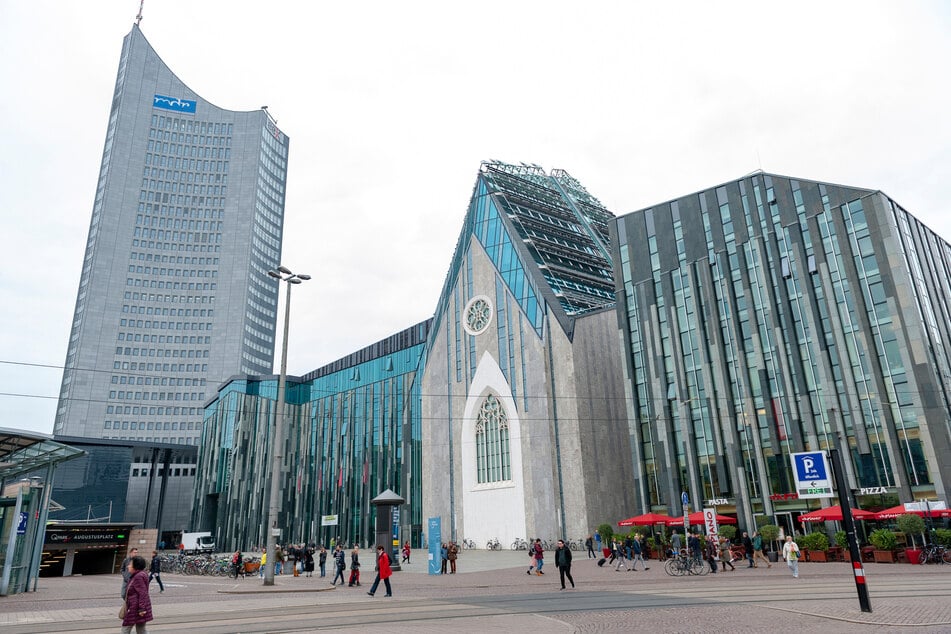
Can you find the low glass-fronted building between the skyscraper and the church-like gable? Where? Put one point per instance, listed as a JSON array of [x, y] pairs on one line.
[[352, 431]]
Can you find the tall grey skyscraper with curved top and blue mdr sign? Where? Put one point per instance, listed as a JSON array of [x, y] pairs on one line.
[[174, 295]]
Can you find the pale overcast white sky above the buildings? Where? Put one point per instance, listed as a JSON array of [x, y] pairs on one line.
[[391, 107]]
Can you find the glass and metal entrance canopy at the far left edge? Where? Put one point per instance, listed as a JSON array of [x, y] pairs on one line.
[[24, 502]]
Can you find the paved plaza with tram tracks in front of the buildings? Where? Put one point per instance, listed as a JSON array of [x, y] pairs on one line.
[[492, 593]]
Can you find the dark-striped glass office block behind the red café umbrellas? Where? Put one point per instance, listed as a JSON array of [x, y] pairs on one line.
[[772, 315]]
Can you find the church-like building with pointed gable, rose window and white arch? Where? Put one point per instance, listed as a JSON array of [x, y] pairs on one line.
[[524, 410]]
